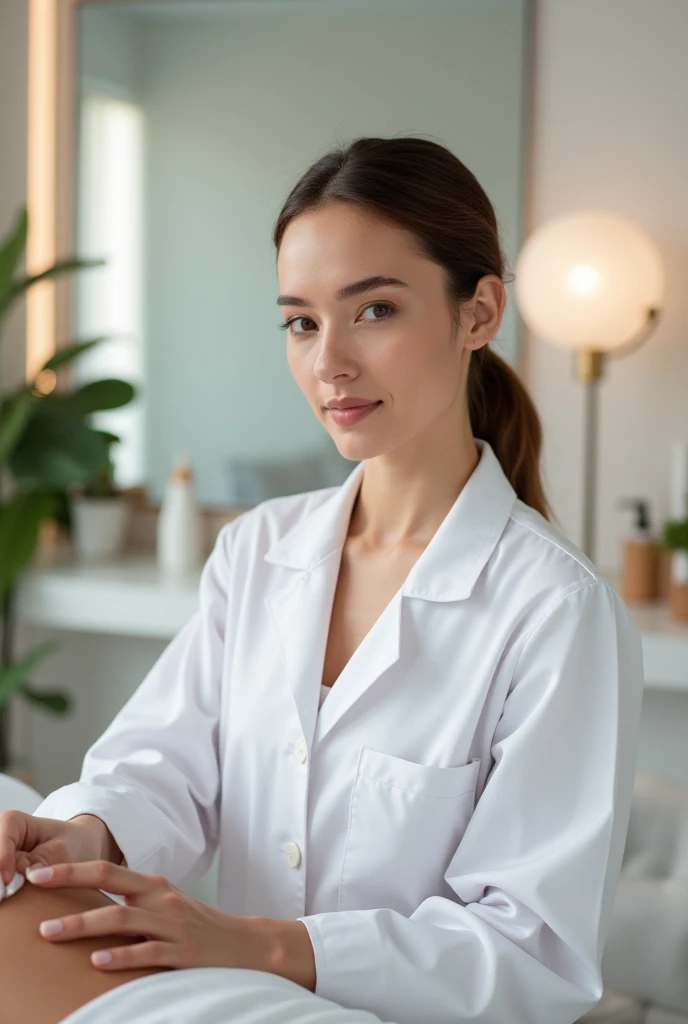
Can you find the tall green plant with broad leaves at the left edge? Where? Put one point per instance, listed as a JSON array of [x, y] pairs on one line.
[[48, 445]]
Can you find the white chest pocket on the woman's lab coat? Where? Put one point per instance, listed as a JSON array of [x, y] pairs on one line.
[[406, 822]]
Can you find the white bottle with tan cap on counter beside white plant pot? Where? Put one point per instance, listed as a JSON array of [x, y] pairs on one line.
[[180, 547]]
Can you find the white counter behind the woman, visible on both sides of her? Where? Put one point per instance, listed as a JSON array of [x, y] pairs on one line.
[[132, 598]]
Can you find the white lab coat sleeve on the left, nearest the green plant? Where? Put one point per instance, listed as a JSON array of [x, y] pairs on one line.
[[154, 776]]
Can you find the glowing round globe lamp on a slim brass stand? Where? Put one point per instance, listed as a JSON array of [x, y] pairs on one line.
[[590, 281]]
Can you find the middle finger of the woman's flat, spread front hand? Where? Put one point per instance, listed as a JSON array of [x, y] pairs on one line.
[[116, 920]]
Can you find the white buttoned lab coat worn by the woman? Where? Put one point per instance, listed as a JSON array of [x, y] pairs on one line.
[[451, 827]]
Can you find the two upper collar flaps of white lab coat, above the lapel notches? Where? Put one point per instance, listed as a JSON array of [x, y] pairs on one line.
[[448, 569]]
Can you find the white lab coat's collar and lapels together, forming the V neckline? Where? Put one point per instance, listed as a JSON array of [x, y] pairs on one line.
[[447, 571]]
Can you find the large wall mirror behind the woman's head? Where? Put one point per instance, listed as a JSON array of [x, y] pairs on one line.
[[194, 121]]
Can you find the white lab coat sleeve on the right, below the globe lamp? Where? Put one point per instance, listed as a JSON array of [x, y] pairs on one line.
[[537, 870]]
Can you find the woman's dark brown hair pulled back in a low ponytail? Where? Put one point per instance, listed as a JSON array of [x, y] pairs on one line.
[[423, 188]]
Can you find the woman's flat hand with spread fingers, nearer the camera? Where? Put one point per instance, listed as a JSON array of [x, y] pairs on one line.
[[178, 930]]
